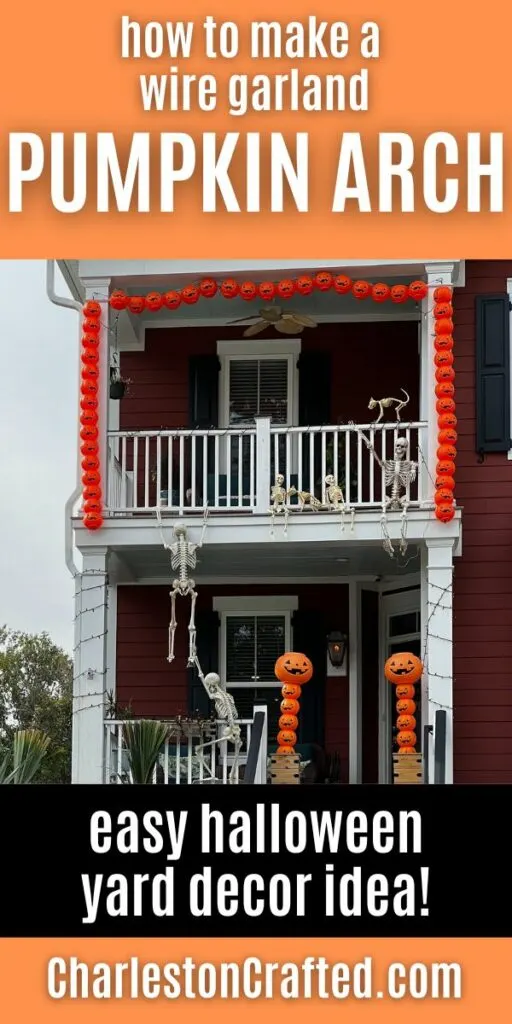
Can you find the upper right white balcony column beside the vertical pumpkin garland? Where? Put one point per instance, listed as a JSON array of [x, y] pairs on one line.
[[437, 275]]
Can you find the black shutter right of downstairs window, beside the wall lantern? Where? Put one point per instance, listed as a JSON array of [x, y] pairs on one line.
[[311, 639]]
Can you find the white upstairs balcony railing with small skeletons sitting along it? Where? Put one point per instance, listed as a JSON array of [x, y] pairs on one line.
[[234, 470]]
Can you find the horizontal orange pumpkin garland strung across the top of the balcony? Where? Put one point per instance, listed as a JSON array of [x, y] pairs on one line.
[[208, 288]]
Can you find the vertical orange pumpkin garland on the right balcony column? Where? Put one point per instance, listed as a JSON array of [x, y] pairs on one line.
[[446, 406]]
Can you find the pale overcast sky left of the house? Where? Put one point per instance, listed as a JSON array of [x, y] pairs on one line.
[[38, 451]]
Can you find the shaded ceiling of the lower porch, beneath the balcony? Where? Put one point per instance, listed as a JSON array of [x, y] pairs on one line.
[[277, 562]]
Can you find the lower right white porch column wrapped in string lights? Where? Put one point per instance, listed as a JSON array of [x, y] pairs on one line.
[[438, 645]]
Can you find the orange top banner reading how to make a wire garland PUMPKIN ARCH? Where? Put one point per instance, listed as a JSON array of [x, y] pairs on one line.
[[222, 137]]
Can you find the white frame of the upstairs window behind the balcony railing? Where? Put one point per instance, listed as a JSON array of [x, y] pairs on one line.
[[253, 350]]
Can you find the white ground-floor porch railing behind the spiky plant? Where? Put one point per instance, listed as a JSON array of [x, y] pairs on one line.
[[179, 763]]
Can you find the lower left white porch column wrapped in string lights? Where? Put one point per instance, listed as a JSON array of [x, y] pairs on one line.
[[91, 668]]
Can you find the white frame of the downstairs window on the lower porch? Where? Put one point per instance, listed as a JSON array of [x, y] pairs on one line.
[[239, 607]]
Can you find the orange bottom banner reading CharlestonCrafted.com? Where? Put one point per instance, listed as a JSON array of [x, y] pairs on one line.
[[367, 979]]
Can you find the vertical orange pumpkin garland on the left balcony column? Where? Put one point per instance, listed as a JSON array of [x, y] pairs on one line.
[[90, 388]]
